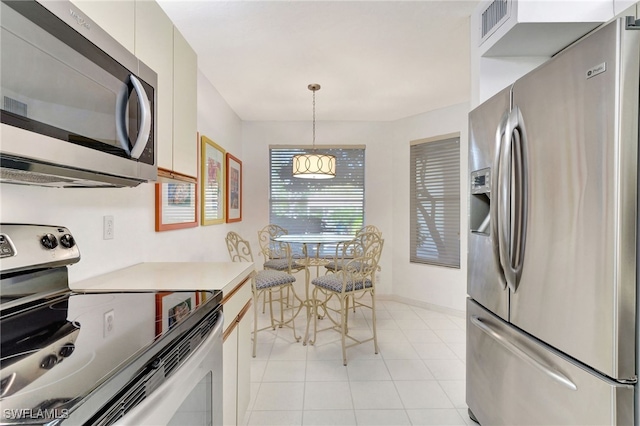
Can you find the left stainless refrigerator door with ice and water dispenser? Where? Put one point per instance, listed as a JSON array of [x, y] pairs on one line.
[[485, 281]]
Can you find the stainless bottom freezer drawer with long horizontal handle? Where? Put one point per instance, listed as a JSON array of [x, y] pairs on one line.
[[513, 379]]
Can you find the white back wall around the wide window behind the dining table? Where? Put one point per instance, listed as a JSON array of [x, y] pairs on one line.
[[257, 136]]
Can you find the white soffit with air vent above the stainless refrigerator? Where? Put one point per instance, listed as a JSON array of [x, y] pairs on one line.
[[509, 38]]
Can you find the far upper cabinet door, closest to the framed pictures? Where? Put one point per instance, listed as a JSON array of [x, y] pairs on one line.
[[185, 69]]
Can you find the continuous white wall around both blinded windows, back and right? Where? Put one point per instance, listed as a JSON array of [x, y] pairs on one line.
[[386, 192]]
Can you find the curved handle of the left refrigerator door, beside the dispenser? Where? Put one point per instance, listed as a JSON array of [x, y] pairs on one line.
[[494, 210]]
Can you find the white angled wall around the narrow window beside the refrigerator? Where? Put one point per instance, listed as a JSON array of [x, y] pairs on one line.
[[417, 283]]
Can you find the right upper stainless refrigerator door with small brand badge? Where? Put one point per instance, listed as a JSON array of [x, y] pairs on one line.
[[579, 113]]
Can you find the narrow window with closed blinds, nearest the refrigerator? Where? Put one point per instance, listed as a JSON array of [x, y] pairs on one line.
[[435, 202]]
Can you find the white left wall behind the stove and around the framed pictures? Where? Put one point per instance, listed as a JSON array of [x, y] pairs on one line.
[[82, 210]]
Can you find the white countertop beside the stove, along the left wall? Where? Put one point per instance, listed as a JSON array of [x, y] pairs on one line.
[[168, 276]]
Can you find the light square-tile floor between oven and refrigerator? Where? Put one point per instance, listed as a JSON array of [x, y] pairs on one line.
[[418, 378]]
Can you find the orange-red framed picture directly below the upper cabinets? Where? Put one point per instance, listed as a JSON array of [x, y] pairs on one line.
[[176, 202]]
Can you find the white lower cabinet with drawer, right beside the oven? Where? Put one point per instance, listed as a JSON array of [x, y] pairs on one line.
[[236, 379]]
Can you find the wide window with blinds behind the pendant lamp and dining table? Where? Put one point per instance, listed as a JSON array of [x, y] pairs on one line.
[[317, 205]]
